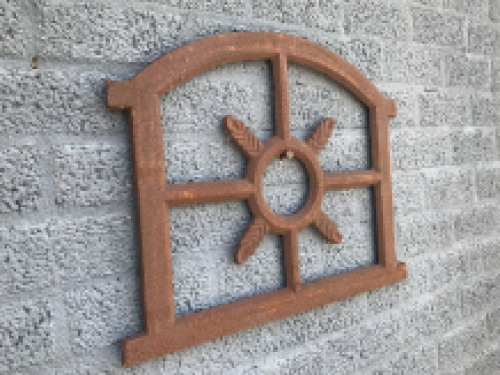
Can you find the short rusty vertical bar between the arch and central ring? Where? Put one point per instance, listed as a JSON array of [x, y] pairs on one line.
[[281, 96]]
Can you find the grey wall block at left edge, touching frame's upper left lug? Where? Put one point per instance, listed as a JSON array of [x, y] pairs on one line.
[[46, 101]]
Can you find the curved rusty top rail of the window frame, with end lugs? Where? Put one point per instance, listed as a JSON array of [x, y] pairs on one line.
[[190, 60]]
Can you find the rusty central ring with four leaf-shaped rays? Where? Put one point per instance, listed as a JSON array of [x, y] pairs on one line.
[[265, 220]]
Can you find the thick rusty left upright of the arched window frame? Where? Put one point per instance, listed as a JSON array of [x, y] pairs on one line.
[[154, 230]]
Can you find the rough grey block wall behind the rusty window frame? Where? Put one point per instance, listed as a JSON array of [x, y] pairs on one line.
[[69, 256]]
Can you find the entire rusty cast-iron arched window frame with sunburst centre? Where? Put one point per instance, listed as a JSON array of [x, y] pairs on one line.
[[163, 332]]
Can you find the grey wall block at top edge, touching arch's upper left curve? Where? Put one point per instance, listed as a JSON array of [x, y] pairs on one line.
[[136, 32]]
